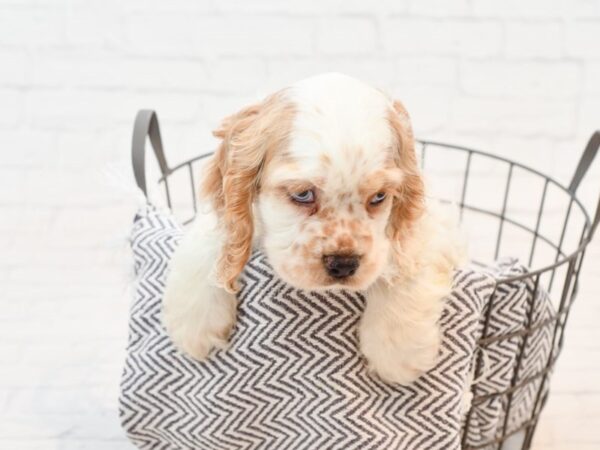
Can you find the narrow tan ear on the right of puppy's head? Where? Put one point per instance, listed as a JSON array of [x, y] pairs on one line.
[[409, 205]]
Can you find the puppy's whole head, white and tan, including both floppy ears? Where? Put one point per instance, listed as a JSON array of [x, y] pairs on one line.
[[323, 175]]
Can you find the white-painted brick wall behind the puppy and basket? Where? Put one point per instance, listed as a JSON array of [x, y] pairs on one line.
[[519, 78]]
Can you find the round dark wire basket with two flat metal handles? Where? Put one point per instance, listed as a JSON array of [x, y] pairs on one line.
[[535, 218]]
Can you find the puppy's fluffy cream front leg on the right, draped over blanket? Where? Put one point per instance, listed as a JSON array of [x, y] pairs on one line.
[[398, 332]]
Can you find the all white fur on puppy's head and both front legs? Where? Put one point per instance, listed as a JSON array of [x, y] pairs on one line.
[[344, 121]]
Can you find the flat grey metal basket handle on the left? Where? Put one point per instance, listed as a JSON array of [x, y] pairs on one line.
[[146, 124]]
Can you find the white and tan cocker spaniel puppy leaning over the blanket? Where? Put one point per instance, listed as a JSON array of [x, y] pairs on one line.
[[322, 177]]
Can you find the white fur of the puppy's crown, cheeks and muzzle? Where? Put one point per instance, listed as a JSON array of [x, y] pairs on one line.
[[344, 120]]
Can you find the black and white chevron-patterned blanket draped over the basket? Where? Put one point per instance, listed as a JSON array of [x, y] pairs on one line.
[[293, 377]]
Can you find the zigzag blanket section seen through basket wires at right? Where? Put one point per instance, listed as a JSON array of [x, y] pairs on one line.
[[510, 305]]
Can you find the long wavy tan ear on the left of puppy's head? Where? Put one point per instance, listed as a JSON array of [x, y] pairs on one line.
[[232, 180]]
